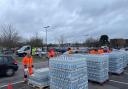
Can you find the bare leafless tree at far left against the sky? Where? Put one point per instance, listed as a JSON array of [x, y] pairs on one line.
[[9, 36]]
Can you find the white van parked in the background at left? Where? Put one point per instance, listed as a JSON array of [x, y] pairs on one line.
[[23, 50]]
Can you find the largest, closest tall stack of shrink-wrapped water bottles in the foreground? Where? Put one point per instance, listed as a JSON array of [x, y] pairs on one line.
[[68, 72]]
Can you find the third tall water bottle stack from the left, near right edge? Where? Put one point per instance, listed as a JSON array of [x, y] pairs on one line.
[[116, 62]]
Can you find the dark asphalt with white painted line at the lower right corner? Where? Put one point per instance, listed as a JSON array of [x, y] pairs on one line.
[[115, 82]]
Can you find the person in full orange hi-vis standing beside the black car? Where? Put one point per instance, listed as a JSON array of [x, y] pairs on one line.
[[28, 65]]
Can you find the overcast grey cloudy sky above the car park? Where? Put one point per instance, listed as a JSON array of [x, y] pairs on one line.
[[71, 18]]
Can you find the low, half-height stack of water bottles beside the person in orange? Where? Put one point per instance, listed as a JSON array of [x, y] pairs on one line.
[[40, 77]]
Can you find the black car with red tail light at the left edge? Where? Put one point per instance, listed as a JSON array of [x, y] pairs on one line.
[[8, 65]]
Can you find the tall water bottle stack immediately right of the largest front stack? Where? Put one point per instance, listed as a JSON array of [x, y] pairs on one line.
[[97, 66]]
